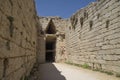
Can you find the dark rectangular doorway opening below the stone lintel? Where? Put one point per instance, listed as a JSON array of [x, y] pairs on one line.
[[50, 51]]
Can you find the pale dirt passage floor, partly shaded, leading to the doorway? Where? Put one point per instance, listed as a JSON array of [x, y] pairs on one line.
[[60, 71]]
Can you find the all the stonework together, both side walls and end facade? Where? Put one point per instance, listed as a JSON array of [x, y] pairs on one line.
[[90, 37]]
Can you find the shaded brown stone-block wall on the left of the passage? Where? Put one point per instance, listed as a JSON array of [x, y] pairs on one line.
[[17, 38]]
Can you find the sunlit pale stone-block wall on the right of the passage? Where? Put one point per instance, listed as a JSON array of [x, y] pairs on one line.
[[93, 36]]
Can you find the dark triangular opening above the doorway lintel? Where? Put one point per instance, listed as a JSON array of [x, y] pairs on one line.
[[50, 28]]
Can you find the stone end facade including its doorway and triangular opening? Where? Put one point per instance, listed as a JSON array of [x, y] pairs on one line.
[[53, 29]]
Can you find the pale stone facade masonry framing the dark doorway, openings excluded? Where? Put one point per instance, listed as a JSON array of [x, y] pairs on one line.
[[60, 25]]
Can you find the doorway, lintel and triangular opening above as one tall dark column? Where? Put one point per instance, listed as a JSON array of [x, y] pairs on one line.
[[50, 42]]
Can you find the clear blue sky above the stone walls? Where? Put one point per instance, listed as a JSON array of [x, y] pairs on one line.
[[62, 8]]
